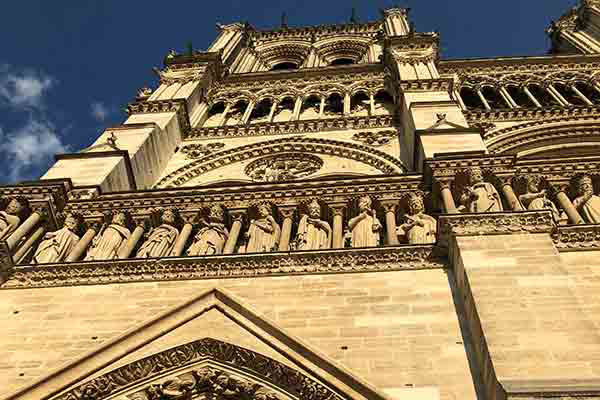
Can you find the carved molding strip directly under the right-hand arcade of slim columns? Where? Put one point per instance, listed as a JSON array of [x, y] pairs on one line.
[[528, 114]]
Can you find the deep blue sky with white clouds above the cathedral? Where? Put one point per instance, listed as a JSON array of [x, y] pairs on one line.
[[69, 67]]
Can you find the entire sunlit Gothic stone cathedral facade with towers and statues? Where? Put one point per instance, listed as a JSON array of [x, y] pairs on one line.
[[320, 213]]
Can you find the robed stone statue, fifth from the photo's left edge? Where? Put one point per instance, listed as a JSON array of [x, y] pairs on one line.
[[211, 238]]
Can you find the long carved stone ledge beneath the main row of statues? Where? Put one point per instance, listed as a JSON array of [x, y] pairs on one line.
[[391, 258]]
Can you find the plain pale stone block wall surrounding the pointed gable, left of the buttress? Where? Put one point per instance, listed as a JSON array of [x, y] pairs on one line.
[[401, 329]]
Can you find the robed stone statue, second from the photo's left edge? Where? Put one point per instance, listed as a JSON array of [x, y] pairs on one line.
[[56, 246]]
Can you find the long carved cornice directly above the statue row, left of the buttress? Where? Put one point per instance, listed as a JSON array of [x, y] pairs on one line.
[[193, 199]]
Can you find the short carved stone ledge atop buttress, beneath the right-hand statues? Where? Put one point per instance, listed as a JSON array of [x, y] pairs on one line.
[[501, 223]]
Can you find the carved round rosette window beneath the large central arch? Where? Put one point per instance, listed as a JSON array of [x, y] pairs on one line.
[[283, 167]]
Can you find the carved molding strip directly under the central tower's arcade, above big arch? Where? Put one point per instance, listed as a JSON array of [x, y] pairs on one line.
[[293, 127]]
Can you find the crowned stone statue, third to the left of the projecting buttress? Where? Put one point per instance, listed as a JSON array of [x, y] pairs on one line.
[[313, 233]]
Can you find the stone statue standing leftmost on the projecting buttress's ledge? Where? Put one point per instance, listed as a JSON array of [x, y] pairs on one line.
[[480, 196]]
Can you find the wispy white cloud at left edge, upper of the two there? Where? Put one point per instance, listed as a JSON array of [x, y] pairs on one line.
[[23, 89]]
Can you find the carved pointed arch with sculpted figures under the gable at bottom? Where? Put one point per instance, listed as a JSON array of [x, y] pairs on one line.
[[206, 379]]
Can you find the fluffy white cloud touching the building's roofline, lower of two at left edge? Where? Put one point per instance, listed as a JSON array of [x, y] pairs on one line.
[[29, 148]]
